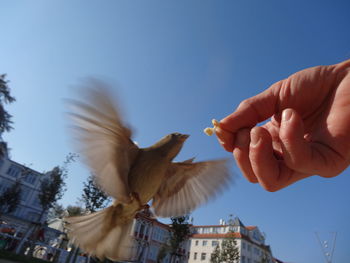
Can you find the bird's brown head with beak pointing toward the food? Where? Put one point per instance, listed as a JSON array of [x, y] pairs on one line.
[[171, 144]]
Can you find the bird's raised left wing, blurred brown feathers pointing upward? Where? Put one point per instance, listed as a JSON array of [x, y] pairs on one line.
[[103, 140]]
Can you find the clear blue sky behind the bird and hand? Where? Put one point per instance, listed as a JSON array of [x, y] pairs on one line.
[[177, 65]]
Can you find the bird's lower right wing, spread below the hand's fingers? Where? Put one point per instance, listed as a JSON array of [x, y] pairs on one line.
[[187, 185]]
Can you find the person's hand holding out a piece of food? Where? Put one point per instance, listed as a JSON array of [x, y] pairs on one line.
[[307, 132]]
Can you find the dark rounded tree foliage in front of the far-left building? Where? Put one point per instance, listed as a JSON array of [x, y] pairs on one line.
[[10, 198]]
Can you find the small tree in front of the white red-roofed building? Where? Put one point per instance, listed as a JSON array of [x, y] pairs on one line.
[[228, 252]]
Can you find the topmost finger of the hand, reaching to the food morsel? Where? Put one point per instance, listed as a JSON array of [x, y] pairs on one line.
[[253, 110]]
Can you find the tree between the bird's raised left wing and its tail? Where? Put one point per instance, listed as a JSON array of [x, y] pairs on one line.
[[93, 197]]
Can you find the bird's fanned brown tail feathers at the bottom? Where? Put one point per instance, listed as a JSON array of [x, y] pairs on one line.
[[106, 233]]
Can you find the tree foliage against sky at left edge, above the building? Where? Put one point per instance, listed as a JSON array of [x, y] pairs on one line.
[[5, 97]]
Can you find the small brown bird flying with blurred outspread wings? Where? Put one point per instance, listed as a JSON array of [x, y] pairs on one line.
[[133, 176]]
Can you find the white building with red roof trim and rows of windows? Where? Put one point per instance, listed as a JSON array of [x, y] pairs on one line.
[[250, 242]]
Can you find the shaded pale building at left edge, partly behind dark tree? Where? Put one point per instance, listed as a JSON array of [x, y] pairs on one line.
[[29, 208]]
